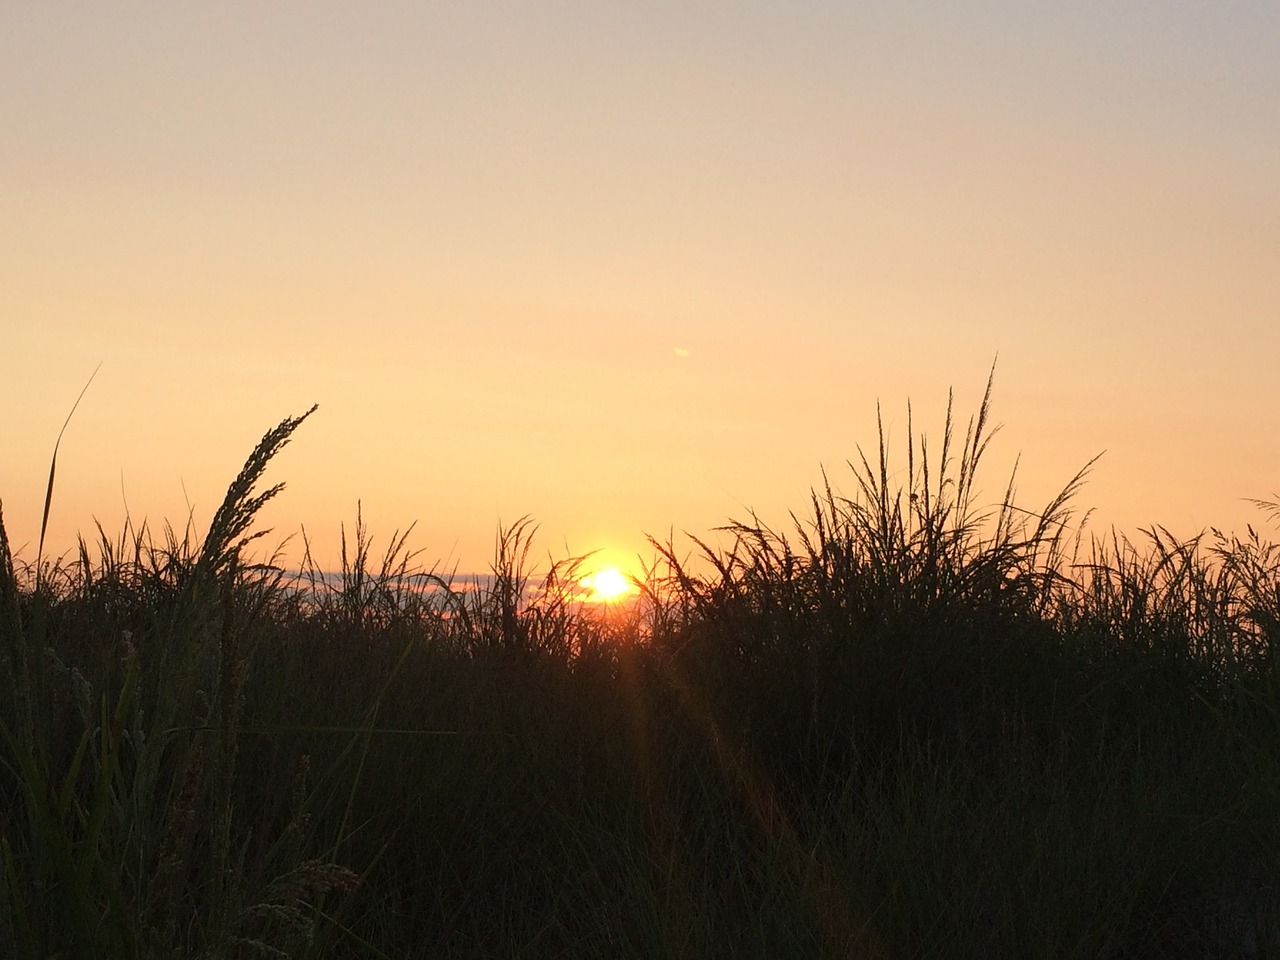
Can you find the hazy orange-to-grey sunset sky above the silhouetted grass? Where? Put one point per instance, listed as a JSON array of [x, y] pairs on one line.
[[632, 269]]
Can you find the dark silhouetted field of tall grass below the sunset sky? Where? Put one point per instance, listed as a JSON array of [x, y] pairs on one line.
[[906, 729]]
